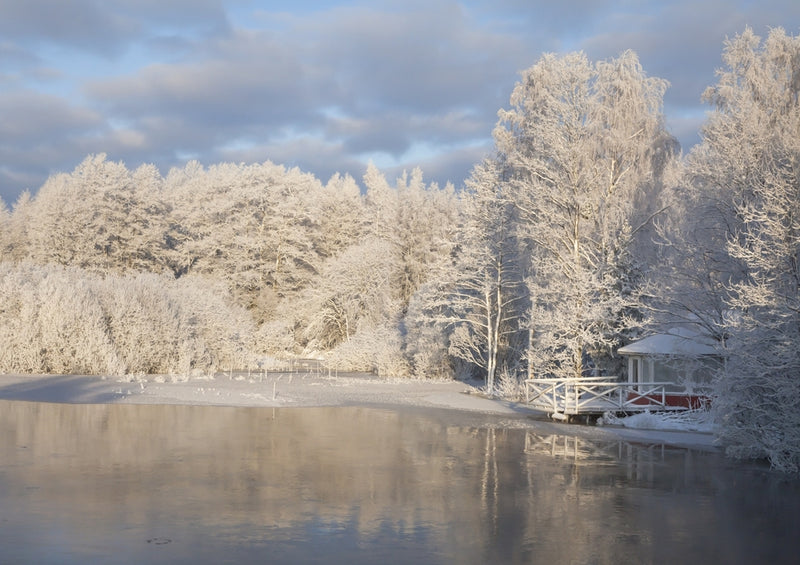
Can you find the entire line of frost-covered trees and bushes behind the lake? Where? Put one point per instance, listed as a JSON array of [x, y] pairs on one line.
[[585, 229]]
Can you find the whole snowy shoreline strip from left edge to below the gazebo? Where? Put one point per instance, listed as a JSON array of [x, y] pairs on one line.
[[314, 390]]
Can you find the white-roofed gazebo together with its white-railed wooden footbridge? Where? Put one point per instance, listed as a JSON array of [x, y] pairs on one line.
[[670, 371]]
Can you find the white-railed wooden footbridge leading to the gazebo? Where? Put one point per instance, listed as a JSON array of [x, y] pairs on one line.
[[593, 396]]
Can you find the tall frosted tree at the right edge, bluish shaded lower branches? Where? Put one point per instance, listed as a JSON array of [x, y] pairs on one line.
[[750, 158]]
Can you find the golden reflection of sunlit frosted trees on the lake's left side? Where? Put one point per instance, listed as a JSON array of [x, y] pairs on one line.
[[373, 471]]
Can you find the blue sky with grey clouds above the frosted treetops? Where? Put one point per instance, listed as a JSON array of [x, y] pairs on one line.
[[324, 86]]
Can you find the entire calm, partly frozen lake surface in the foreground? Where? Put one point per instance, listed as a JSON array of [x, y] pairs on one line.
[[192, 484]]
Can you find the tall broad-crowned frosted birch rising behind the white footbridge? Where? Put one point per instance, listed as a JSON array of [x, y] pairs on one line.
[[581, 141]]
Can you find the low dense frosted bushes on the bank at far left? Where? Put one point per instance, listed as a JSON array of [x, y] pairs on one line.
[[56, 319]]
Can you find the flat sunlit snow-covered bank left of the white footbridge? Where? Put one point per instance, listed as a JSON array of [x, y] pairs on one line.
[[270, 390]]
